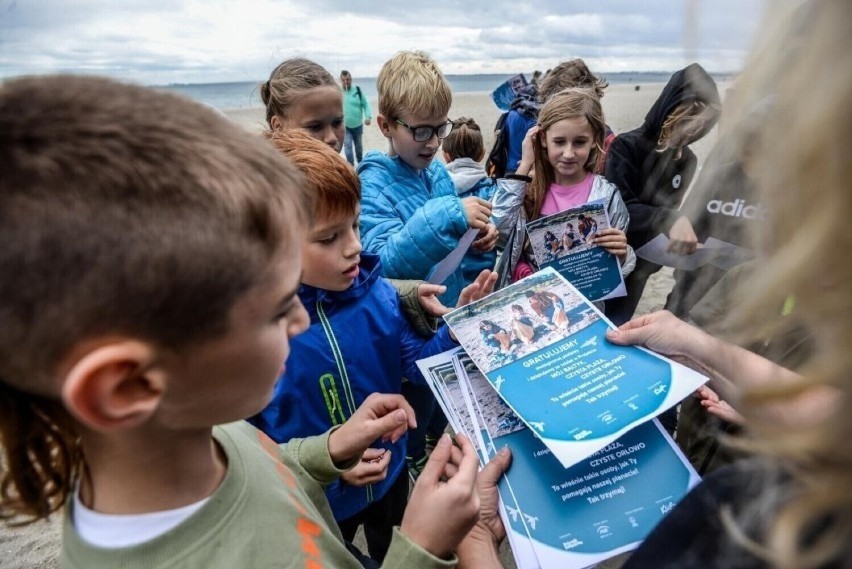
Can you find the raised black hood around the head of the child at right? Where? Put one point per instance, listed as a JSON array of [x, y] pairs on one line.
[[691, 83]]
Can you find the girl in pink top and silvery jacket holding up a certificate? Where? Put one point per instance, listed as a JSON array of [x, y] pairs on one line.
[[564, 149]]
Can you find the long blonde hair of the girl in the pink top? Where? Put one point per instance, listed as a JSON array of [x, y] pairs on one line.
[[567, 104]]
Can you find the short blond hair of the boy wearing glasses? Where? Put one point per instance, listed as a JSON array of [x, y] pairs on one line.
[[411, 83]]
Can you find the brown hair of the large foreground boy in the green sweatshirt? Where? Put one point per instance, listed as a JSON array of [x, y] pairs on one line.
[[122, 211]]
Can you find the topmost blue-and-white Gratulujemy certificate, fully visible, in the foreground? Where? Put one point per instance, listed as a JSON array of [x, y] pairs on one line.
[[541, 344]]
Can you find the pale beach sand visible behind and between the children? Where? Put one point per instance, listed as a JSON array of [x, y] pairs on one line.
[[37, 545]]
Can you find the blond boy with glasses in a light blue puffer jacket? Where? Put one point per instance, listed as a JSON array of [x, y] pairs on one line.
[[411, 216]]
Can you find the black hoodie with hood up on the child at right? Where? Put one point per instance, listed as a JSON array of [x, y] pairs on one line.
[[652, 183]]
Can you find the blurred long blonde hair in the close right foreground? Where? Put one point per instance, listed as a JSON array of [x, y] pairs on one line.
[[805, 177]]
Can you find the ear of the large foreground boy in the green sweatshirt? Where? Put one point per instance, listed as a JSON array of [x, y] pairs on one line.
[[114, 386]]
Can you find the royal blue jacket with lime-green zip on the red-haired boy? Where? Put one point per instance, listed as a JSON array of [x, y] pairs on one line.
[[377, 347]]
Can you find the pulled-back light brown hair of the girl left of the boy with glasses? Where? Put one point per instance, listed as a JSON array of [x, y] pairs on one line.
[[287, 81]]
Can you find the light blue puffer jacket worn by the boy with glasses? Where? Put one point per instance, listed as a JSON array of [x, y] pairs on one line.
[[412, 221]]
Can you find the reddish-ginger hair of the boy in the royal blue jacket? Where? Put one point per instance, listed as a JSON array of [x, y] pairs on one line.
[[329, 176]]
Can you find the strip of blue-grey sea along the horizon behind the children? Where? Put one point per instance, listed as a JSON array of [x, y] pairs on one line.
[[246, 94]]
